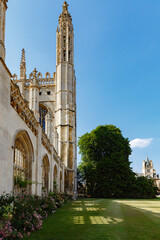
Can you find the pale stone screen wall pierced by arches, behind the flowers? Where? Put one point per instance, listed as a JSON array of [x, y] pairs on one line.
[[10, 125]]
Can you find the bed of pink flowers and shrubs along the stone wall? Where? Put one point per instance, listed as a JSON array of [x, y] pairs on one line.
[[21, 215]]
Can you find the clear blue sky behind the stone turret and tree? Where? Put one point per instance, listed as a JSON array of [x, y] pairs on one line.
[[117, 62]]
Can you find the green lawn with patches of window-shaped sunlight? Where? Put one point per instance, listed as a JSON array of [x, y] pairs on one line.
[[96, 219]]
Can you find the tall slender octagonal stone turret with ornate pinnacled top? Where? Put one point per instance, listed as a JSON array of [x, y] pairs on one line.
[[66, 97]]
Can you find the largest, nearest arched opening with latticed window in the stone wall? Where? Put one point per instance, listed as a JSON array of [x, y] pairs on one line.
[[22, 164]]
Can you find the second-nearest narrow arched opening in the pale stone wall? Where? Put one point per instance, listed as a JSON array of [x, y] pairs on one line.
[[45, 174]]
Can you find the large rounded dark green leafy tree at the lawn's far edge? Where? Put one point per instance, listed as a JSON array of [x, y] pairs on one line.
[[105, 163]]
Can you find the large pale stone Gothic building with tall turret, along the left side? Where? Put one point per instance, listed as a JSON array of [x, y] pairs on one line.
[[38, 119]]
